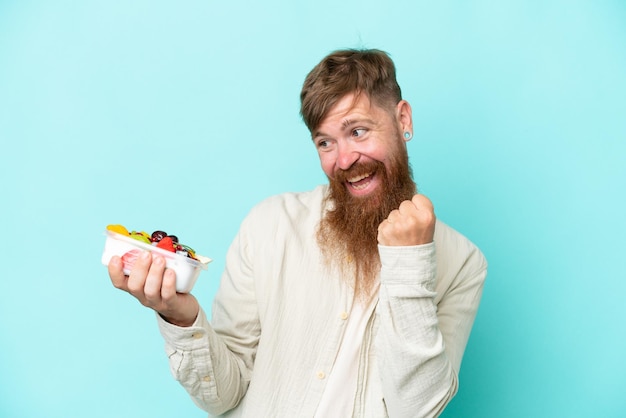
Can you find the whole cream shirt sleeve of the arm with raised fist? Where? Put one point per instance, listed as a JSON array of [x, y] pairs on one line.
[[425, 320]]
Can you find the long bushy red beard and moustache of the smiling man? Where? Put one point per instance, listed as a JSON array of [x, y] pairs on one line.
[[348, 232]]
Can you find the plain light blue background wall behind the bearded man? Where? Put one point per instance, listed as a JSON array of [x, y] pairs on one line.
[[182, 115]]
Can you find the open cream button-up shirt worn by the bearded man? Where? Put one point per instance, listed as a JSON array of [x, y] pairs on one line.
[[277, 322]]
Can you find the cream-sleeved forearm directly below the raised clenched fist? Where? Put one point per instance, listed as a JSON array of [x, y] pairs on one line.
[[417, 376]]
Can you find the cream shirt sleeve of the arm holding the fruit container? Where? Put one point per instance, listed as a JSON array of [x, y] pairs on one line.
[[213, 361]]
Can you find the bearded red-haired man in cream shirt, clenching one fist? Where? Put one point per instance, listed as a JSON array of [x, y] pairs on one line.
[[348, 300]]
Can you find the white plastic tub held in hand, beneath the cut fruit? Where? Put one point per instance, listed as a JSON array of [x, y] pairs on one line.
[[187, 269]]
